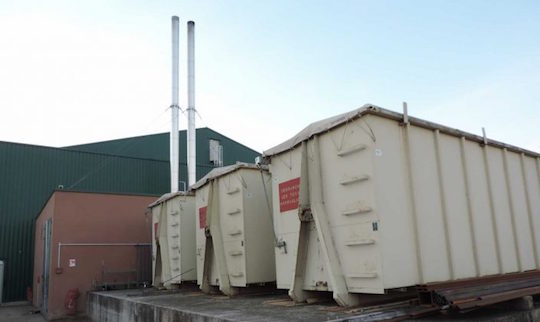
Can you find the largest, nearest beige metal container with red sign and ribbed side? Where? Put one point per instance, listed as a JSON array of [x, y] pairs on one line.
[[366, 202]]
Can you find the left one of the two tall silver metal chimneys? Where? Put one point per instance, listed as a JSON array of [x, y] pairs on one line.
[[174, 106]]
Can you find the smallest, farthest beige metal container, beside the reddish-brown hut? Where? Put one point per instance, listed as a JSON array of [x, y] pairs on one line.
[[173, 240]]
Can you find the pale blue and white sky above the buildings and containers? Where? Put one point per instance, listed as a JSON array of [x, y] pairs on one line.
[[74, 72]]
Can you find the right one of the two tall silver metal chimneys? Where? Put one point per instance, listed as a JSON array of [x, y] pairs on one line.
[[191, 139]]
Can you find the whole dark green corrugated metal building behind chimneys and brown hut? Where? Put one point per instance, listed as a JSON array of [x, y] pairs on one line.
[[138, 165]]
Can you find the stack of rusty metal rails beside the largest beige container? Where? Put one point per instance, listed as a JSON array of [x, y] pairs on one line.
[[468, 294]]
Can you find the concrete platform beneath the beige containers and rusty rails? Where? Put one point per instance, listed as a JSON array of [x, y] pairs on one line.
[[189, 304]]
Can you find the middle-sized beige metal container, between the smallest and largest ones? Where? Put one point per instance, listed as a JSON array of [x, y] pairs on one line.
[[235, 238]]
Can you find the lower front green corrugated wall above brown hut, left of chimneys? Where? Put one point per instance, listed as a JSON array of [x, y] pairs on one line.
[[29, 174]]
